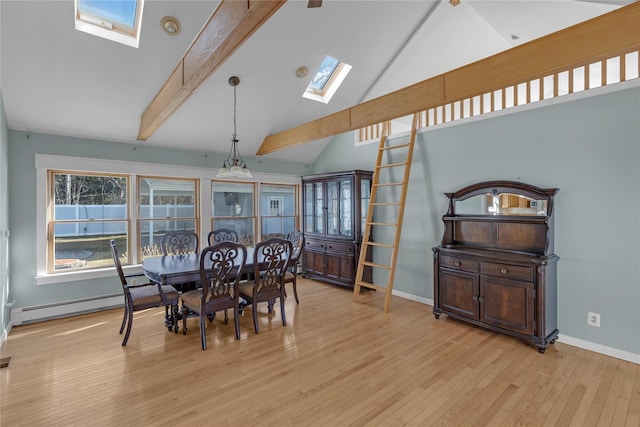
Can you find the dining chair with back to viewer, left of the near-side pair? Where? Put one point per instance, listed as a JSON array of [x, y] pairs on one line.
[[220, 267]]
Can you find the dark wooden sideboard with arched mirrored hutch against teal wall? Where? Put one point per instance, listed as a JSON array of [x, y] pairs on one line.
[[495, 266]]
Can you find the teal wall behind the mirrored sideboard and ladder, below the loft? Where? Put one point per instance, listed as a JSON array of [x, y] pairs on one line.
[[589, 148]]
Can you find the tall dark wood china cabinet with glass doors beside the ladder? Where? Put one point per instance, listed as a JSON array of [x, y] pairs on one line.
[[334, 212]]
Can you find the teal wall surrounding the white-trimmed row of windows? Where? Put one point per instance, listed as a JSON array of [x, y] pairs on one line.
[[22, 197]]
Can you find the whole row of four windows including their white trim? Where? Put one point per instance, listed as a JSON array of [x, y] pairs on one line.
[[129, 202]]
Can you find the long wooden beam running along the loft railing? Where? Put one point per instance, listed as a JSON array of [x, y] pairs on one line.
[[610, 35]]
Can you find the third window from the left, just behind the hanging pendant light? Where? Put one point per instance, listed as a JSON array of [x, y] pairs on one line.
[[233, 208]]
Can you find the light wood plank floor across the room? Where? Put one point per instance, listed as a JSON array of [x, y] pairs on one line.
[[335, 363]]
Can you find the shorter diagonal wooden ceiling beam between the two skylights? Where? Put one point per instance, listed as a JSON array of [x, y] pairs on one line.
[[228, 27]]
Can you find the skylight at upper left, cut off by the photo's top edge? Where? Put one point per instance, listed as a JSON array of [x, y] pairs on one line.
[[115, 20]]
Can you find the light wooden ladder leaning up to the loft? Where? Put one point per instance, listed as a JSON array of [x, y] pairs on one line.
[[389, 203]]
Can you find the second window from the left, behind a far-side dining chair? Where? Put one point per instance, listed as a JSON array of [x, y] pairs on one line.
[[165, 204]]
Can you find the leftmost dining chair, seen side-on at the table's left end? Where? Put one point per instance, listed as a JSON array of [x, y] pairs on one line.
[[142, 296]]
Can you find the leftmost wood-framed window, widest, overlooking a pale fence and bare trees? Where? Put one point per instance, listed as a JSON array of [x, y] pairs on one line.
[[86, 211]]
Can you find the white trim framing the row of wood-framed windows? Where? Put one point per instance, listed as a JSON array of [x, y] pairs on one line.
[[44, 162]]
